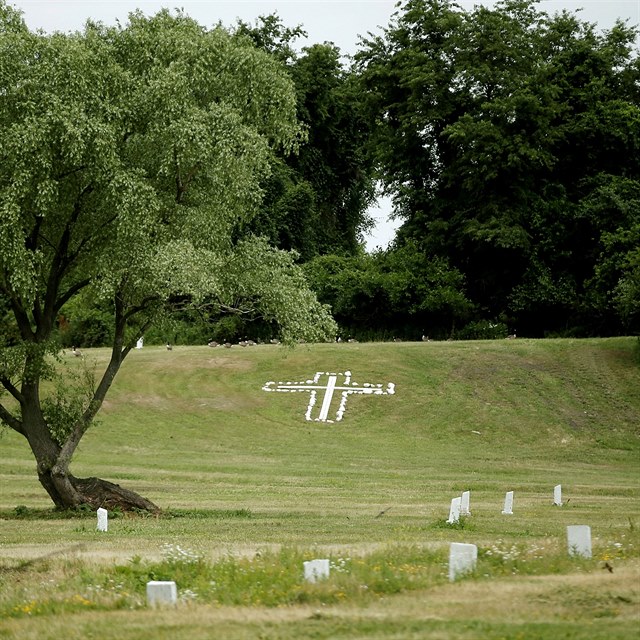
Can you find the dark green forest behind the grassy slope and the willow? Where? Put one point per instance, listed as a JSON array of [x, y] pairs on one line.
[[509, 142]]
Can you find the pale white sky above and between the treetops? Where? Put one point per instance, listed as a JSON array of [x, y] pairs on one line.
[[337, 21]]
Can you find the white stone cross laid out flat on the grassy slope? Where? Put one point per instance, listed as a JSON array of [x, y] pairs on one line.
[[326, 384]]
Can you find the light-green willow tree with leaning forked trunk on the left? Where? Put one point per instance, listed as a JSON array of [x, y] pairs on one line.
[[127, 157]]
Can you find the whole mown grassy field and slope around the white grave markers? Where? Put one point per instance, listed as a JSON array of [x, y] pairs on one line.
[[250, 489]]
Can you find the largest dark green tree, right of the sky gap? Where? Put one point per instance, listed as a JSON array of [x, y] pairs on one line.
[[508, 139]]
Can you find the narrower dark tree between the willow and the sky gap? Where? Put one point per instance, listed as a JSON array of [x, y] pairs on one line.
[[316, 201]]
